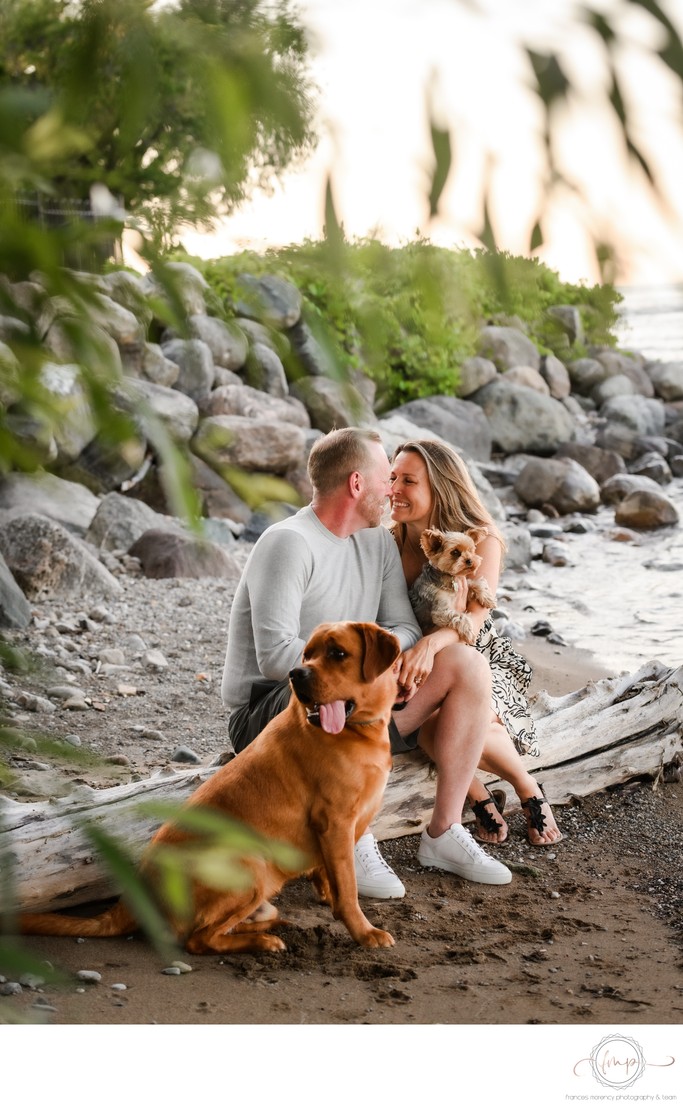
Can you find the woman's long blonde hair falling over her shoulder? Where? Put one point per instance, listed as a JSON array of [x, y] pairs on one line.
[[458, 505]]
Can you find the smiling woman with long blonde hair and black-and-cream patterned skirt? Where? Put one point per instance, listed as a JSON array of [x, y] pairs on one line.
[[431, 488]]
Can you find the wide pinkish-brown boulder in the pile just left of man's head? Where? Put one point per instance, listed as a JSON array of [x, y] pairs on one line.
[[252, 444]]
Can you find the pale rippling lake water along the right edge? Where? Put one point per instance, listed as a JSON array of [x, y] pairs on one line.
[[624, 602]]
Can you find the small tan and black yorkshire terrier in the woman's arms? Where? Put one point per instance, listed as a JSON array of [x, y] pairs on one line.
[[451, 556]]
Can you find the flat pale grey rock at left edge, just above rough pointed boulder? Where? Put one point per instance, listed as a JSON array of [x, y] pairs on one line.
[[69, 504]]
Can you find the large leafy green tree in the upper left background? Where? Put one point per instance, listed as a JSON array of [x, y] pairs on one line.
[[177, 111]]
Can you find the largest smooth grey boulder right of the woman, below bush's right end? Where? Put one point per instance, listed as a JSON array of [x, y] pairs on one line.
[[523, 421]]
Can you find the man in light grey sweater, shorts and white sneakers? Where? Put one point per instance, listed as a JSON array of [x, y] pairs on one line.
[[335, 562]]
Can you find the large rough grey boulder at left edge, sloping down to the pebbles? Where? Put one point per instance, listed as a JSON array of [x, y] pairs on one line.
[[47, 561]]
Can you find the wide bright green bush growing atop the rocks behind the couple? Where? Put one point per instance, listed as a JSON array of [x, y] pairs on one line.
[[410, 317]]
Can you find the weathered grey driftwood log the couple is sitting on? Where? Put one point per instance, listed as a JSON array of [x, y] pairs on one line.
[[605, 734]]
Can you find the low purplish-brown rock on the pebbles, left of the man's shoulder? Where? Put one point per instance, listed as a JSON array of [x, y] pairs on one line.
[[164, 555]]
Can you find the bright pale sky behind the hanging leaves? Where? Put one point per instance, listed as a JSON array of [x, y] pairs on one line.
[[375, 61]]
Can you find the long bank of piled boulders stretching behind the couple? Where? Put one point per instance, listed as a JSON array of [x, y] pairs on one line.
[[245, 399]]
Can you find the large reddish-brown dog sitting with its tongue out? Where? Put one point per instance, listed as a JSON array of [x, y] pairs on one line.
[[315, 778]]
